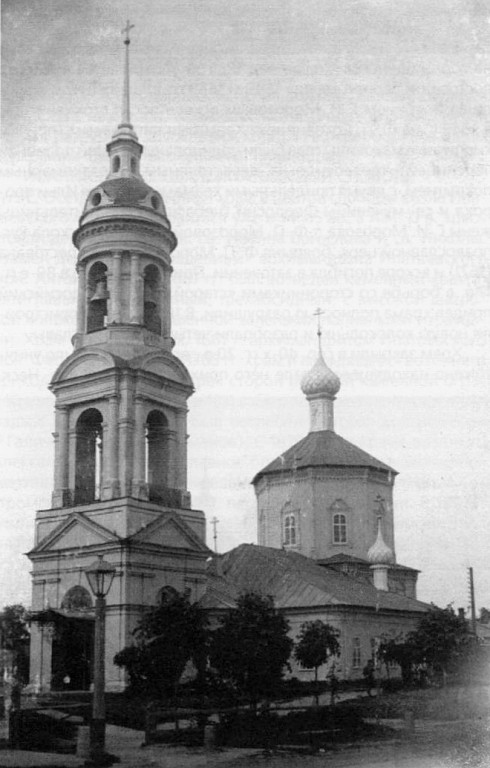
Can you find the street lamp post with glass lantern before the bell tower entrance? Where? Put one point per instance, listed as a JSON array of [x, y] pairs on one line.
[[99, 575]]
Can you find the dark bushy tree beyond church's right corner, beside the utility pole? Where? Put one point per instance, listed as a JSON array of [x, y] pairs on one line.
[[441, 639]]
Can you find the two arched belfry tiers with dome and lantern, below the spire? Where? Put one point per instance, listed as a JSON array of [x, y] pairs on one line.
[[121, 396]]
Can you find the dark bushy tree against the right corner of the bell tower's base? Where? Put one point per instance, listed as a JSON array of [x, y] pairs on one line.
[[166, 638]]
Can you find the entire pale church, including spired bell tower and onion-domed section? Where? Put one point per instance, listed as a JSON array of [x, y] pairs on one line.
[[326, 545]]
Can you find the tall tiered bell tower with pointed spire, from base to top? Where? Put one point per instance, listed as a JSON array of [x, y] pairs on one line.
[[120, 466]]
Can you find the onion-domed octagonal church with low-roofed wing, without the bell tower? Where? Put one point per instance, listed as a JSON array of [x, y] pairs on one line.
[[326, 545]]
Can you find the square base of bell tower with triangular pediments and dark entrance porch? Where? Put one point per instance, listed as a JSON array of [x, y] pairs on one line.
[[152, 548]]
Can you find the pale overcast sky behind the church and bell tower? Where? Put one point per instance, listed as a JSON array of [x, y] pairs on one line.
[[330, 153]]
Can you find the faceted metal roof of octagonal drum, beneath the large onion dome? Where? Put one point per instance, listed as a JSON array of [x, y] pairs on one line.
[[322, 449]]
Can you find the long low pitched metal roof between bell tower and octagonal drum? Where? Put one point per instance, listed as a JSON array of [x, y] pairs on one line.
[[297, 582]]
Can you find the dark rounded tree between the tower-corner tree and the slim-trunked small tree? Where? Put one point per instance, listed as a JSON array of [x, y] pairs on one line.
[[251, 648]]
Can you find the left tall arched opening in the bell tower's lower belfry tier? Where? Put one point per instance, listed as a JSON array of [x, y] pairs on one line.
[[89, 457]]
